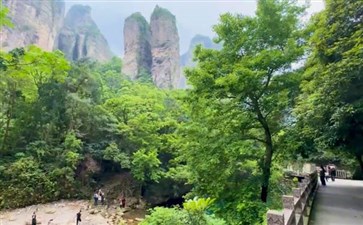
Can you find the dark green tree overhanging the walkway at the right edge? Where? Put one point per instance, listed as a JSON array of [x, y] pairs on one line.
[[331, 105]]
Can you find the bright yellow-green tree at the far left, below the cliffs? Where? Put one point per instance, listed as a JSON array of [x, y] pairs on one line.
[[23, 73]]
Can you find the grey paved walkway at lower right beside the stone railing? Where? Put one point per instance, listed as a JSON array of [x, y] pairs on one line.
[[338, 203]]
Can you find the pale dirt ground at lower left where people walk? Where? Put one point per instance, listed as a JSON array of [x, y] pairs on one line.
[[61, 213]]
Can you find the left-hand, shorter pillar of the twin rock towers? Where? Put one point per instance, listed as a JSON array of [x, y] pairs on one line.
[[137, 60]]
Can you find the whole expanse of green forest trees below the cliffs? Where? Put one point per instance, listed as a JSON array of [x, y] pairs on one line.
[[279, 91]]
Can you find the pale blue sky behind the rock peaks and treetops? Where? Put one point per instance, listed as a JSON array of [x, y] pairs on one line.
[[193, 16]]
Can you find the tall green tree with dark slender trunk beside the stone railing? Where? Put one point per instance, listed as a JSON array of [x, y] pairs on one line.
[[246, 83]]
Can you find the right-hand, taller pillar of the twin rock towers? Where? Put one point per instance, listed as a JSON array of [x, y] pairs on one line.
[[164, 48]]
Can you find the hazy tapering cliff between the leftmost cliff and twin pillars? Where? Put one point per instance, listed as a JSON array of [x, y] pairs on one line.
[[81, 38]]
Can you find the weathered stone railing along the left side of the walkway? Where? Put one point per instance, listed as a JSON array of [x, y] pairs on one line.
[[297, 206]]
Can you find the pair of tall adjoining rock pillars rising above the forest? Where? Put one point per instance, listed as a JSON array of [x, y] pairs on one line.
[[152, 49]]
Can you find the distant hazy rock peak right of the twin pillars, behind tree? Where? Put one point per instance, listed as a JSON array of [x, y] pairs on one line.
[[186, 60]]
